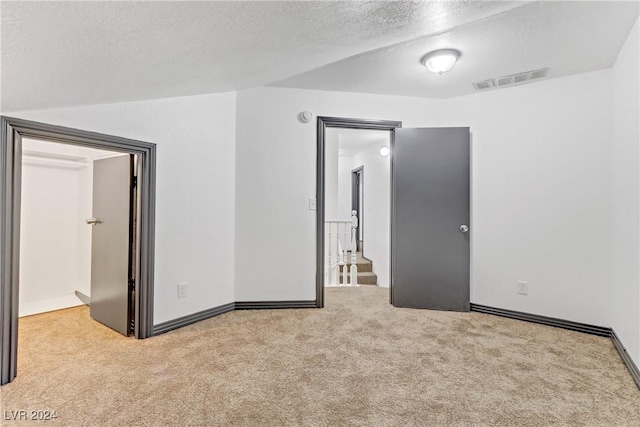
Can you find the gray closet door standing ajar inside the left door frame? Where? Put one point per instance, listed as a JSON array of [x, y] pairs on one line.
[[112, 242]]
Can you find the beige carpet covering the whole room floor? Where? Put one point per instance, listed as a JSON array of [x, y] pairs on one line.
[[357, 362]]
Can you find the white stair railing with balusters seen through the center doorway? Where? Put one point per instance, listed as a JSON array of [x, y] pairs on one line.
[[338, 235]]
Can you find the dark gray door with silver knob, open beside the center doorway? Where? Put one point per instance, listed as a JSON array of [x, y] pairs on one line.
[[430, 218]]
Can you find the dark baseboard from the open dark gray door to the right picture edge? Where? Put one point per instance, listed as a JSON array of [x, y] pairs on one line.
[[572, 326]]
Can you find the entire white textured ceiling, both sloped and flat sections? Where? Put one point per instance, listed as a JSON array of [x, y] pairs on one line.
[[73, 53]]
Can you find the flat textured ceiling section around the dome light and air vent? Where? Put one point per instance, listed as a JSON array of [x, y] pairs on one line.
[[567, 37]]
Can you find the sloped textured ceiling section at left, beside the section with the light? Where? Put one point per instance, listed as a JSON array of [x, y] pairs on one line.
[[74, 53]]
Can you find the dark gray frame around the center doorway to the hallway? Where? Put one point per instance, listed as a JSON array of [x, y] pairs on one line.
[[325, 122]]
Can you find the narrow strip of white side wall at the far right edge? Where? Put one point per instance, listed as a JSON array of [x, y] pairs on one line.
[[625, 200]]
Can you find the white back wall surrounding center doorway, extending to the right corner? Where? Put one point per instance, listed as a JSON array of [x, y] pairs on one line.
[[540, 197]]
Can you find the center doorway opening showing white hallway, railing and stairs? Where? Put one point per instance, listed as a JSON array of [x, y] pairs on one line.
[[357, 224]]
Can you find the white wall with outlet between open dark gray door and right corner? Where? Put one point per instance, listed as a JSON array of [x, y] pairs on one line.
[[541, 180]]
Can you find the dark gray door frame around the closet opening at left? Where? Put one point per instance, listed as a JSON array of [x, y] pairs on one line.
[[11, 134]]
